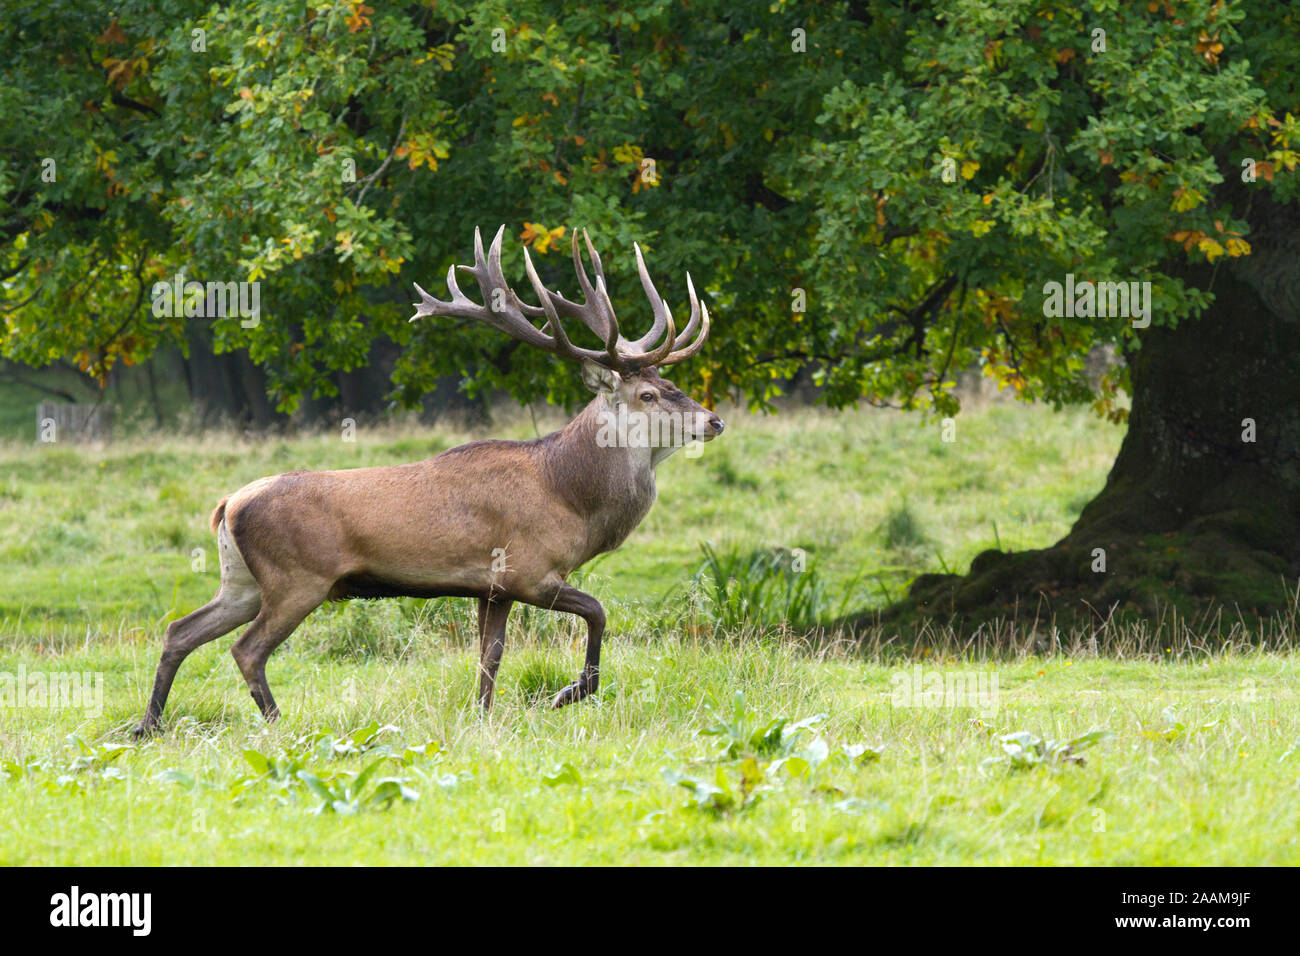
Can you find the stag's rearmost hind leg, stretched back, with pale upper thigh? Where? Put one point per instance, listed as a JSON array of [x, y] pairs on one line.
[[237, 603]]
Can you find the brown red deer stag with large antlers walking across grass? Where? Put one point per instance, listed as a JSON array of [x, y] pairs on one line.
[[504, 522]]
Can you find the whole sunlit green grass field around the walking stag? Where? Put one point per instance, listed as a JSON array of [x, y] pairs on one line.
[[1136, 747]]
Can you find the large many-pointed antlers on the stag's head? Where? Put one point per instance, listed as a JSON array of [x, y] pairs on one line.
[[504, 310]]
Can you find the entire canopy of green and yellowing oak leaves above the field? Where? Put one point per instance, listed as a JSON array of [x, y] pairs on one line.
[[777, 168]]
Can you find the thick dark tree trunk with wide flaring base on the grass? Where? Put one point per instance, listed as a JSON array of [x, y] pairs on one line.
[[1203, 504]]
